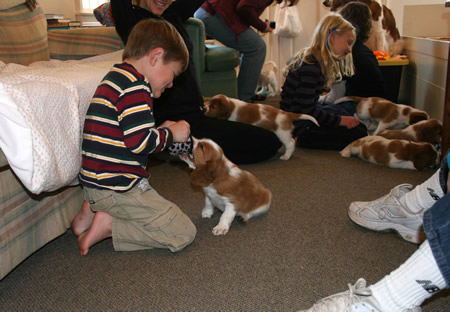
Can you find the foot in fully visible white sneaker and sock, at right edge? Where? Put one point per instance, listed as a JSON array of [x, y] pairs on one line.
[[402, 209]]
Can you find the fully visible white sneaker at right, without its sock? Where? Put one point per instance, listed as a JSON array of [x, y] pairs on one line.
[[386, 213]]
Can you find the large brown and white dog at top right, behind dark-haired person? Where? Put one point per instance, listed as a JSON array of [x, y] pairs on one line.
[[384, 35]]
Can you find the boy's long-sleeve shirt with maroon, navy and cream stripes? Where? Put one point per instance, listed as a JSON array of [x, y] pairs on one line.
[[119, 131]]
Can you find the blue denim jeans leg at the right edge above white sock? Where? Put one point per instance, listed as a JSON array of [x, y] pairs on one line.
[[436, 223]]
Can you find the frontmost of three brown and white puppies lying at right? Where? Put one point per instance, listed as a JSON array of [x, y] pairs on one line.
[[393, 153]]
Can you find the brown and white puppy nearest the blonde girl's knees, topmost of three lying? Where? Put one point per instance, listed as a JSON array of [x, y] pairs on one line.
[[380, 114]]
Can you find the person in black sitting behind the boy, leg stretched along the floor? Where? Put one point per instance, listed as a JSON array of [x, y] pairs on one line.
[[242, 143]]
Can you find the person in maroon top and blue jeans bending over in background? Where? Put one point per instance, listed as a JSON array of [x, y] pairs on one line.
[[229, 21]]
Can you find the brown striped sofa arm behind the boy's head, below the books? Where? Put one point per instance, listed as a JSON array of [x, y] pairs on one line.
[[79, 43]]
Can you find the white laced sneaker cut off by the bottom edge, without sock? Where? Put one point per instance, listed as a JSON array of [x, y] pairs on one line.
[[357, 299]]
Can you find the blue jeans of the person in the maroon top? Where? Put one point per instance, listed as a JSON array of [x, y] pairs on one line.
[[249, 43]]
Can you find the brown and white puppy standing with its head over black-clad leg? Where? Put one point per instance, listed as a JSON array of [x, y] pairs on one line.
[[261, 115]]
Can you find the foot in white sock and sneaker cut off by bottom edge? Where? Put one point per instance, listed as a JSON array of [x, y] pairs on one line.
[[402, 290]]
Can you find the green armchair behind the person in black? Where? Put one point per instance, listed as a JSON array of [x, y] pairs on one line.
[[214, 65]]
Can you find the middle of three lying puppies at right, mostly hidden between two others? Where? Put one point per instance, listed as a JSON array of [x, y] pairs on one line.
[[424, 131]]
